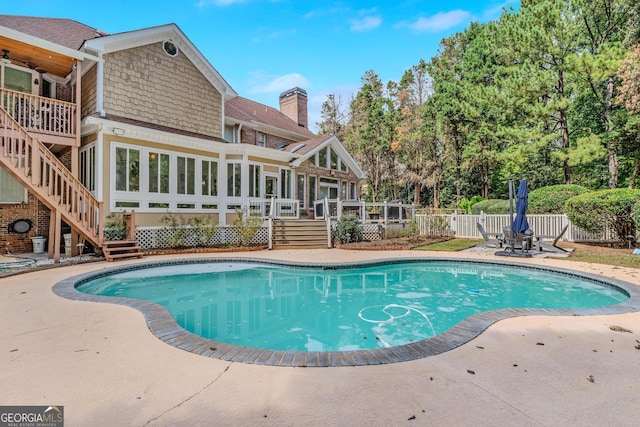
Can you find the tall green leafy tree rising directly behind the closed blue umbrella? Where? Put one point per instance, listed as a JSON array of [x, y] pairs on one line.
[[535, 45]]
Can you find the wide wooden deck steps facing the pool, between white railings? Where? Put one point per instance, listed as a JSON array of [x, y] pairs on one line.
[[299, 234]]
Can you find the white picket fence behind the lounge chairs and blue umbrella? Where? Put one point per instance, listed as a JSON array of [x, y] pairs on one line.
[[465, 226]]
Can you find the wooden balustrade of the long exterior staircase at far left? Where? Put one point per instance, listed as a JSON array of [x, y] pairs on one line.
[[32, 163]]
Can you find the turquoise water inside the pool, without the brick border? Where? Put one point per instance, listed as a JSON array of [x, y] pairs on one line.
[[320, 309]]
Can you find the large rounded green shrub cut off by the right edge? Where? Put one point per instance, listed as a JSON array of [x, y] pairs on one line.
[[595, 210]]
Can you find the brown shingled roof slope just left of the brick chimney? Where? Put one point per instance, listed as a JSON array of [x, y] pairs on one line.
[[248, 111]]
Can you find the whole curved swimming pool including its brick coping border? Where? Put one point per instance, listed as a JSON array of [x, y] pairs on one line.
[[275, 313]]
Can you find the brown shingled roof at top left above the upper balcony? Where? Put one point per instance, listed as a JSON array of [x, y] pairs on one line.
[[64, 32]]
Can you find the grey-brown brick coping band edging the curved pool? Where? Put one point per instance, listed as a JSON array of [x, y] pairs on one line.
[[164, 326]]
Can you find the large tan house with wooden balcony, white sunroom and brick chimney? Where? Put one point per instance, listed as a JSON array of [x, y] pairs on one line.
[[93, 123]]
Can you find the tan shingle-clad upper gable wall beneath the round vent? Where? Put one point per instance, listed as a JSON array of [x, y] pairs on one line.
[[146, 84]]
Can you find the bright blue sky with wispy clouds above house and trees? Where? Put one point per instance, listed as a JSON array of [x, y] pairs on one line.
[[263, 47]]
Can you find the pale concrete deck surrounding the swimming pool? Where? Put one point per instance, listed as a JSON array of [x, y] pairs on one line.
[[104, 366]]
